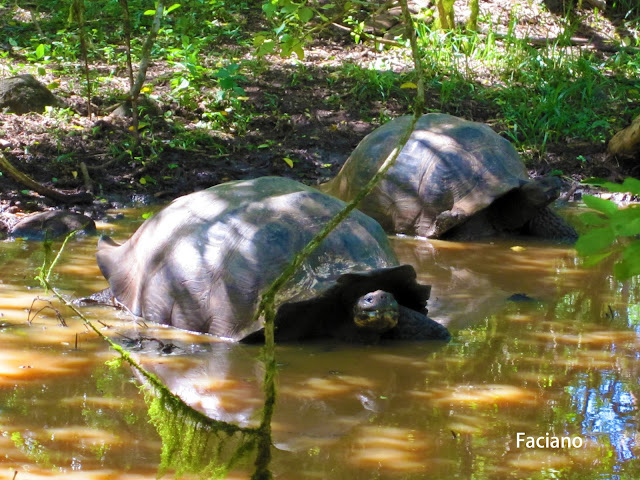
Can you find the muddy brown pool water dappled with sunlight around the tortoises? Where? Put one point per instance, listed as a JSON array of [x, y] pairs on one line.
[[563, 364]]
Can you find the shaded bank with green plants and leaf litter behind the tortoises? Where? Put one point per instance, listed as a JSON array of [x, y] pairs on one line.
[[555, 79]]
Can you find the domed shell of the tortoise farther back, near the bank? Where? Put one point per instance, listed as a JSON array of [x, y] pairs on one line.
[[449, 169]]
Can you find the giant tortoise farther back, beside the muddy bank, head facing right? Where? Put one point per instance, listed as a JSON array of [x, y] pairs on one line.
[[454, 179]]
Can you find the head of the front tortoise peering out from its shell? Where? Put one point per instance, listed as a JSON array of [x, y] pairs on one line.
[[376, 312]]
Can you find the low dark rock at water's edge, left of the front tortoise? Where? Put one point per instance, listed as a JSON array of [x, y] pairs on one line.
[[52, 224]]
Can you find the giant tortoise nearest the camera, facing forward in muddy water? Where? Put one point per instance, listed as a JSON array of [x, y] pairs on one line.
[[202, 263]]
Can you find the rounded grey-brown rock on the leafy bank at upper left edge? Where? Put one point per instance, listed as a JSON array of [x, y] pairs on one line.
[[24, 94]]
